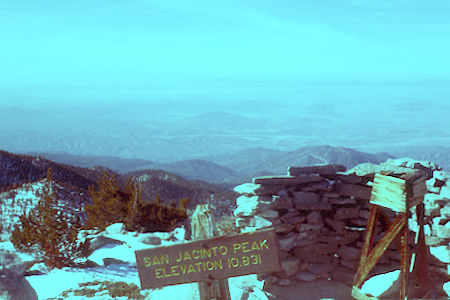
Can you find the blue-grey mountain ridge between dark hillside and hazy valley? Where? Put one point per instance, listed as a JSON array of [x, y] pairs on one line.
[[231, 169]]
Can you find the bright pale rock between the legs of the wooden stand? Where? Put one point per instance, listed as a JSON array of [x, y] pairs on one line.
[[382, 285]]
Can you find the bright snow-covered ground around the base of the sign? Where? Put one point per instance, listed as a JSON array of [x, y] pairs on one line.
[[52, 283]]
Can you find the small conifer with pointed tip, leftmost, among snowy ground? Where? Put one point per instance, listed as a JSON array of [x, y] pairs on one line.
[[48, 231]]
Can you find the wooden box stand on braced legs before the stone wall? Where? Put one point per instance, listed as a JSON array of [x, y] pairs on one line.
[[399, 191]]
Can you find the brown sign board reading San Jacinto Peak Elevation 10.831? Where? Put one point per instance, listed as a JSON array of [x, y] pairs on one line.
[[209, 259]]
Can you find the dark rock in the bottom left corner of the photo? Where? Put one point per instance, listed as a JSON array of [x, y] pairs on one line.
[[13, 284]]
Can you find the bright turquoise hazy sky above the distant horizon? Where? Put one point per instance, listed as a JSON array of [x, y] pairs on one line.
[[157, 43]]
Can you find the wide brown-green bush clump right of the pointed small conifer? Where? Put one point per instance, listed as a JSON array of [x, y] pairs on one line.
[[113, 204]]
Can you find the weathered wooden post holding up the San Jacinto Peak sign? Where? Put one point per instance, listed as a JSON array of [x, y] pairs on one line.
[[202, 226]]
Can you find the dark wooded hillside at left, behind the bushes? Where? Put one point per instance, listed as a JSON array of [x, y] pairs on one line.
[[17, 170]]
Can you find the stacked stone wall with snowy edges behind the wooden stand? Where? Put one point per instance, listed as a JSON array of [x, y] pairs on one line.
[[320, 214]]
